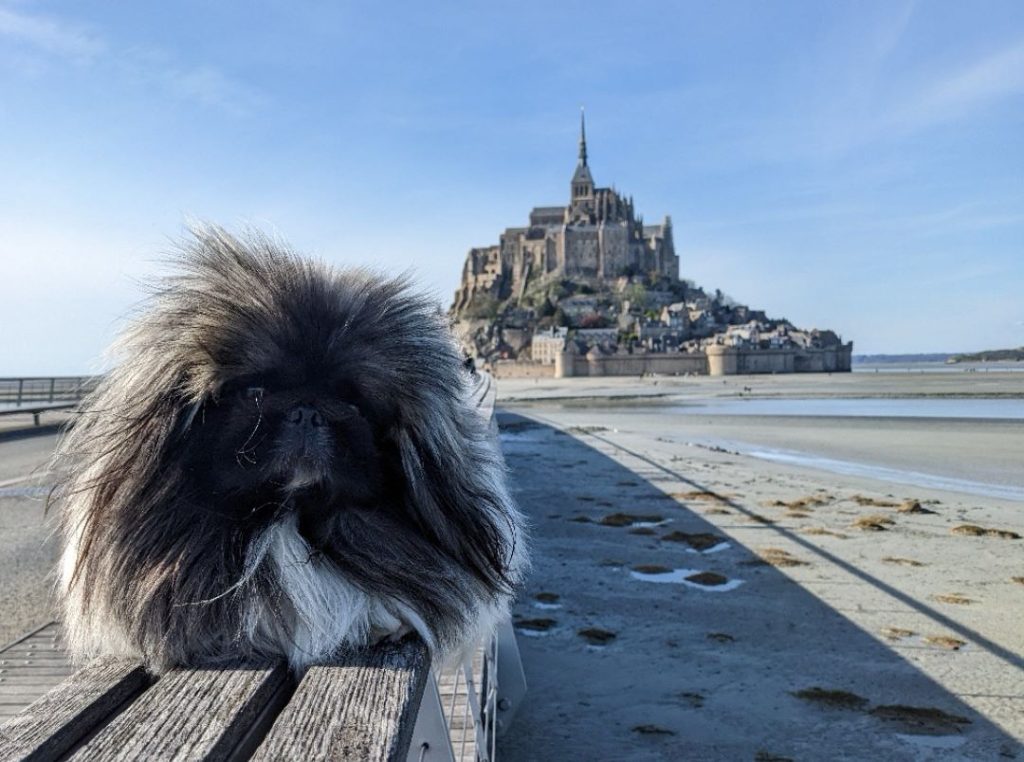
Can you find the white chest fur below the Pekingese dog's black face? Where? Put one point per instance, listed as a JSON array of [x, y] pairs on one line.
[[327, 611]]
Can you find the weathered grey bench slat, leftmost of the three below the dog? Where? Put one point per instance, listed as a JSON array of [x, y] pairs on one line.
[[53, 726]]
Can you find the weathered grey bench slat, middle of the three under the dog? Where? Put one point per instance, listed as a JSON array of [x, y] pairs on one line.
[[189, 714]]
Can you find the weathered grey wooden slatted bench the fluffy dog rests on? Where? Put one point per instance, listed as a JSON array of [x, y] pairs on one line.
[[385, 703]]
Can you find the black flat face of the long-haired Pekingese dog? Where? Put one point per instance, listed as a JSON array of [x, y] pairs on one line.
[[278, 440]]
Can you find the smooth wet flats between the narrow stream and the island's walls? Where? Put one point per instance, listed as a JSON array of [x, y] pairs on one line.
[[920, 438]]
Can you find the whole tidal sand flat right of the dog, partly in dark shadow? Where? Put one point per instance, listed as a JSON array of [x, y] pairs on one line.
[[845, 617]]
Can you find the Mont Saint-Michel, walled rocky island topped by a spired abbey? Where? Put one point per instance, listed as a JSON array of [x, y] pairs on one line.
[[590, 289]]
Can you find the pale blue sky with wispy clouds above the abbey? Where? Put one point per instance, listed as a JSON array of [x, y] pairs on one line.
[[850, 165]]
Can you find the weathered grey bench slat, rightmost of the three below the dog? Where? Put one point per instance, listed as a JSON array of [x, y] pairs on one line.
[[362, 709]]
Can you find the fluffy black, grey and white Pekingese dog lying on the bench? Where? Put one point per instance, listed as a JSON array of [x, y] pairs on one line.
[[283, 464]]
